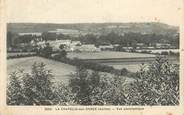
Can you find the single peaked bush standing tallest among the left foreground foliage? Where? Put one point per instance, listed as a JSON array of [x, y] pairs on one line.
[[38, 86]]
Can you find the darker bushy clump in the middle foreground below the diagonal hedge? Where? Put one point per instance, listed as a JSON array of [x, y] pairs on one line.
[[94, 89]]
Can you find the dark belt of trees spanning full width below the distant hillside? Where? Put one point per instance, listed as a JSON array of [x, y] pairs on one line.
[[128, 39]]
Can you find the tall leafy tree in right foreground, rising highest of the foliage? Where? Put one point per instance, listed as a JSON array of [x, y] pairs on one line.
[[159, 85]]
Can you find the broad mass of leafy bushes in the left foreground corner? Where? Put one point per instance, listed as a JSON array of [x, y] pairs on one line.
[[36, 88]]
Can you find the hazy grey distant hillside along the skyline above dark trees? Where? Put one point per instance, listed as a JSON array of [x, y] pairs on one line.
[[101, 28]]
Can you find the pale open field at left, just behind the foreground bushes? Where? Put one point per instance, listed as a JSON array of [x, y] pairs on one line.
[[61, 71]]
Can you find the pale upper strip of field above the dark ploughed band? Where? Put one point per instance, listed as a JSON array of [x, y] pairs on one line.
[[107, 55]]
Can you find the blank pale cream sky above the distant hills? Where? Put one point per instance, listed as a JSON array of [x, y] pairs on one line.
[[94, 11]]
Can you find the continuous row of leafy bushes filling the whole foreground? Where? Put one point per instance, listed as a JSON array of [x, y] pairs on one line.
[[157, 85]]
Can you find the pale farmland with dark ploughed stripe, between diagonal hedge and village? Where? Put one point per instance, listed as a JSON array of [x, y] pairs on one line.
[[119, 60]]
